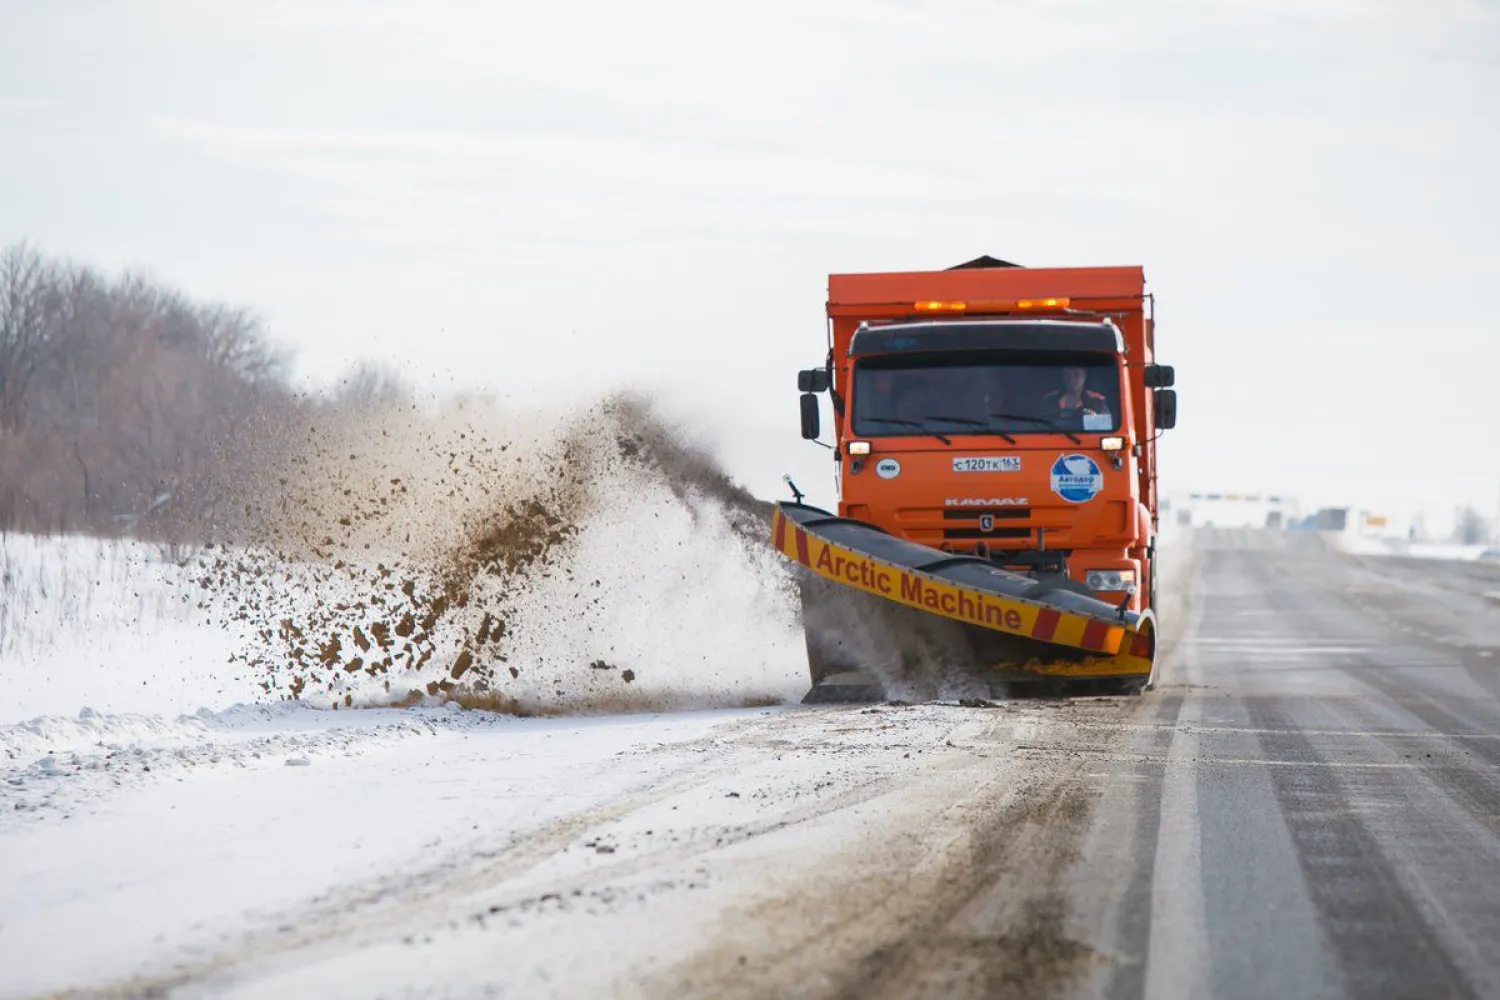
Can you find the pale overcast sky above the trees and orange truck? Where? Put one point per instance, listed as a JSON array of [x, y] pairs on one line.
[[566, 197]]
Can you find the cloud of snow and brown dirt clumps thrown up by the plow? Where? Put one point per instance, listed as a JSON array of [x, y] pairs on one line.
[[418, 555]]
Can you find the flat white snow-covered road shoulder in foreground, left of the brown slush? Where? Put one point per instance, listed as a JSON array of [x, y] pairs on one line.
[[442, 852]]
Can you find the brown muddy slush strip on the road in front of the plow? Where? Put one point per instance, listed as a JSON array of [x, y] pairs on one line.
[[970, 903]]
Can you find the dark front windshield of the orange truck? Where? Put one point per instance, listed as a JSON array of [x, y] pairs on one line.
[[1003, 394]]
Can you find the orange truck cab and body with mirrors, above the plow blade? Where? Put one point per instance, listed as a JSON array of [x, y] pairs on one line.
[[1003, 413]]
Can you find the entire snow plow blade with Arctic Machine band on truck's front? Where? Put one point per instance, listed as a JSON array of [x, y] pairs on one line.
[[887, 618]]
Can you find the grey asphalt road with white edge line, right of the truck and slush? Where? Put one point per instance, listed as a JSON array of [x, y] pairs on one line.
[[1310, 806]]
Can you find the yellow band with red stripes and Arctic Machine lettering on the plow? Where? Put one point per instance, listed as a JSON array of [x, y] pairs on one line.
[[1121, 648]]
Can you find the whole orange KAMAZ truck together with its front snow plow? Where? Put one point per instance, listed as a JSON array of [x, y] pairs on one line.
[[995, 437]]
